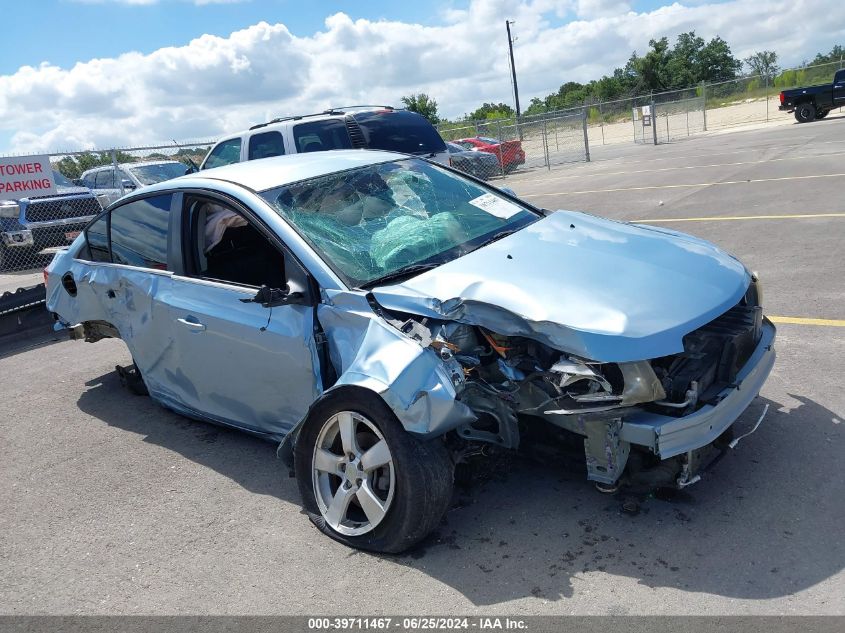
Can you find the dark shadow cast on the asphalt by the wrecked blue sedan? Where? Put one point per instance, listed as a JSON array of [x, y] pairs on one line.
[[765, 523]]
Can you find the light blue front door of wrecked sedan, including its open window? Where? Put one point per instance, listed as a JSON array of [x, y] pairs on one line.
[[240, 363]]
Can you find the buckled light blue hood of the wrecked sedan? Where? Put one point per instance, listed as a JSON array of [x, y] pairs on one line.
[[603, 290]]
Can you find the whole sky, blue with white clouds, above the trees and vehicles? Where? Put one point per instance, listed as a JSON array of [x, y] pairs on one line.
[[84, 74]]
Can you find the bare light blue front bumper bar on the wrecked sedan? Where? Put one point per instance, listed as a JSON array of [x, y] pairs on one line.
[[668, 436]]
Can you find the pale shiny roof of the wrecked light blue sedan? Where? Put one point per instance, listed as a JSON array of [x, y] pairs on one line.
[[268, 173]]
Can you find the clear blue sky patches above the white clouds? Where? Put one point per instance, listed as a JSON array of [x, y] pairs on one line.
[[68, 31]]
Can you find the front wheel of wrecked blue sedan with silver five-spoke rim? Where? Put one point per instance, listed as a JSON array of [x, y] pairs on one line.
[[367, 482]]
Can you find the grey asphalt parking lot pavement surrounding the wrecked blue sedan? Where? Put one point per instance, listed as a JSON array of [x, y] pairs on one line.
[[111, 504]]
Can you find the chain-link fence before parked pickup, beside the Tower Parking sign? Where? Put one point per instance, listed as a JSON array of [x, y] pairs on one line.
[[33, 228]]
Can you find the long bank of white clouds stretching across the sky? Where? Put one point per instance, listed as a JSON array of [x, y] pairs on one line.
[[213, 85]]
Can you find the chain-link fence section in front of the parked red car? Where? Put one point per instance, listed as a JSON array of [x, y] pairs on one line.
[[499, 147]]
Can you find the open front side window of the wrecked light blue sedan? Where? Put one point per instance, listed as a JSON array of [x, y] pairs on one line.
[[227, 247]]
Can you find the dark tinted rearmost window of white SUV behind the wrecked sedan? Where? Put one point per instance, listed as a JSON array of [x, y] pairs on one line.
[[402, 131]]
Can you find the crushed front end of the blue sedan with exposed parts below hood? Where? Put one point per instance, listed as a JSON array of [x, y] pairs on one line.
[[654, 422]]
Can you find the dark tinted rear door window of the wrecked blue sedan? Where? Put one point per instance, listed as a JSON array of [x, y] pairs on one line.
[[138, 232]]
